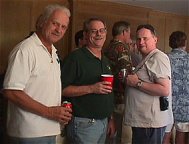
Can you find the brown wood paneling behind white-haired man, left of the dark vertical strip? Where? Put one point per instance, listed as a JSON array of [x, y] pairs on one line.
[[17, 20]]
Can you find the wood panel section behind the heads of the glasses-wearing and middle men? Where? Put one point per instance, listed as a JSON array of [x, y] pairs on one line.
[[110, 12]]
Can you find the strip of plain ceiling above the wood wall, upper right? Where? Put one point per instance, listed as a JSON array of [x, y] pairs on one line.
[[180, 7]]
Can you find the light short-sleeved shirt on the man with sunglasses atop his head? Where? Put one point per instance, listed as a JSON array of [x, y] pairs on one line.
[[142, 109]]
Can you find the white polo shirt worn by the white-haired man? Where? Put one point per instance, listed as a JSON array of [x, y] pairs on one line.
[[32, 69]]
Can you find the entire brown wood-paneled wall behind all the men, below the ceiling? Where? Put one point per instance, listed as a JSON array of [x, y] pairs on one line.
[[18, 17]]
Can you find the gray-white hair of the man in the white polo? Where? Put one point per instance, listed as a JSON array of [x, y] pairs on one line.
[[48, 12]]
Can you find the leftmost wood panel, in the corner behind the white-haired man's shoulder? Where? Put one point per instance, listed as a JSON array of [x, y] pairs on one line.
[[15, 25]]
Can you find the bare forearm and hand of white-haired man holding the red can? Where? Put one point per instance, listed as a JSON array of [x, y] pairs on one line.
[[25, 102]]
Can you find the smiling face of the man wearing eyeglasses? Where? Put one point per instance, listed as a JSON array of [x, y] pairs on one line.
[[96, 34]]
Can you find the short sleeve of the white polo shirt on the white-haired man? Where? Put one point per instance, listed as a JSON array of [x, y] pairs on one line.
[[19, 69]]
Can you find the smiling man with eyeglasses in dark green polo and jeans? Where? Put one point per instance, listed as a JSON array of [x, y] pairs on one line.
[[92, 99]]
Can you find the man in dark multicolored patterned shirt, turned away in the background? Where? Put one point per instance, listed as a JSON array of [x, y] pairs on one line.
[[119, 55]]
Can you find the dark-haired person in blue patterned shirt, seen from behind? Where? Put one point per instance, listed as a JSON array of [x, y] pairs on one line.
[[179, 59]]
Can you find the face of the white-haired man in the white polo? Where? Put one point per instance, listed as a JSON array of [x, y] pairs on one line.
[[55, 27]]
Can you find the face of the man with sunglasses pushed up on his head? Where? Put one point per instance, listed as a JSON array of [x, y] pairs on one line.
[[146, 41]]
